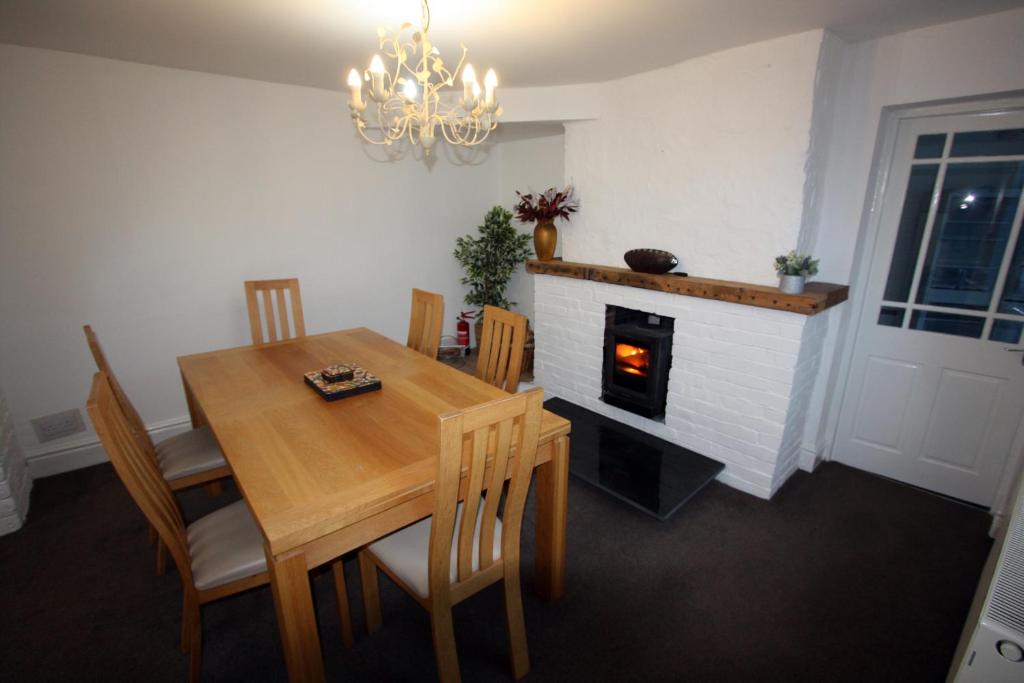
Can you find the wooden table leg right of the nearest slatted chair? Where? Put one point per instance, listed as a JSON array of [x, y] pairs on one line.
[[552, 497]]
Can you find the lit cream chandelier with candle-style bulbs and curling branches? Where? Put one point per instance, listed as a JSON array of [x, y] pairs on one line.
[[409, 98]]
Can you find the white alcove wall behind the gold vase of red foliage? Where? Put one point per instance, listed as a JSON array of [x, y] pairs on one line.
[[533, 163]]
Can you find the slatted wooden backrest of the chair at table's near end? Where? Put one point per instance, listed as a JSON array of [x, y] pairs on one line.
[[503, 434]]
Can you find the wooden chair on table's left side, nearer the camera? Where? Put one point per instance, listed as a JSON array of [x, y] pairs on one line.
[[218, 556]]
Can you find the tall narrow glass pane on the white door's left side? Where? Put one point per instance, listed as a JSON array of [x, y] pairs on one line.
[[912, 229]]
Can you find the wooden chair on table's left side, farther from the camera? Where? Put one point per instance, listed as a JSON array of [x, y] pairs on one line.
[[185, 460]]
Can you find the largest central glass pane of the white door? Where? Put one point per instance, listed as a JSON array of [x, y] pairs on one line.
[[972, 227]]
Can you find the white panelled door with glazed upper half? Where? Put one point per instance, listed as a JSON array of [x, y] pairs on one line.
[[936, 389]]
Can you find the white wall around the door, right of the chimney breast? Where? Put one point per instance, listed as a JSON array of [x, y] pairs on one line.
[[964, 60]]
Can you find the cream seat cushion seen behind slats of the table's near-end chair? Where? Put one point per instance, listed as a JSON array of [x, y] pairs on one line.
[[406, 552]]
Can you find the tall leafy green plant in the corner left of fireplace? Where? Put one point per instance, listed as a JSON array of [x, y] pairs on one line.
[[491, 260]]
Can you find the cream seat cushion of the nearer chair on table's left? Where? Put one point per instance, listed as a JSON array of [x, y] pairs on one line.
[[226, 545]]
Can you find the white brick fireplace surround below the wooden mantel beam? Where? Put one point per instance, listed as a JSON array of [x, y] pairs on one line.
[[741, 381]]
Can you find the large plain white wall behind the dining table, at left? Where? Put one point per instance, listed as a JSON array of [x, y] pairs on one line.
[[139, 199]]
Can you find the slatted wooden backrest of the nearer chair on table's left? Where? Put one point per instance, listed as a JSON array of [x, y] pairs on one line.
[[136, 464]]
